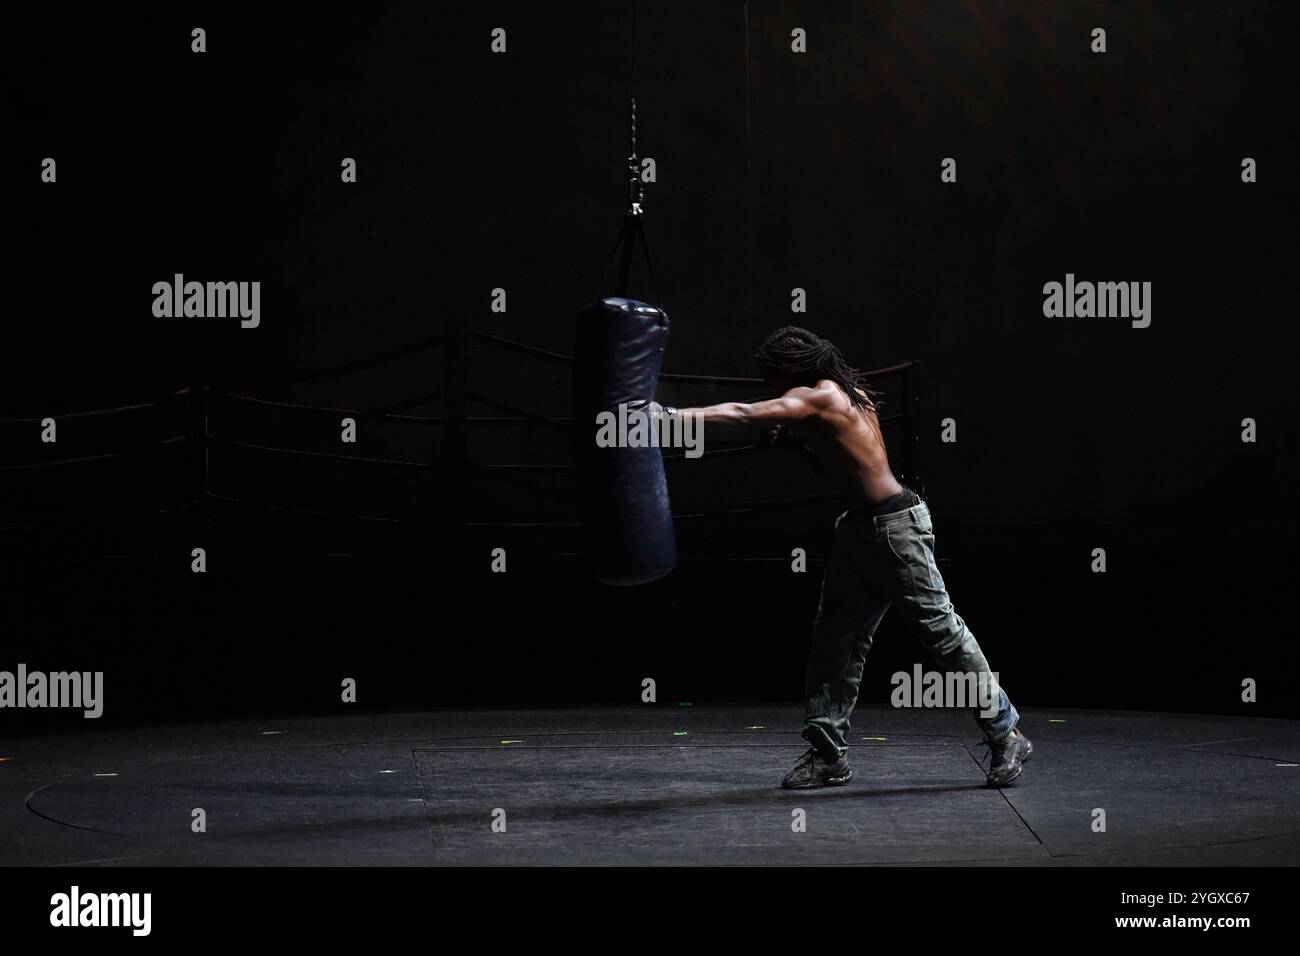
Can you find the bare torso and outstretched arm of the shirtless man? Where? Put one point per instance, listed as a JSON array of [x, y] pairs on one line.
[[846, 439]]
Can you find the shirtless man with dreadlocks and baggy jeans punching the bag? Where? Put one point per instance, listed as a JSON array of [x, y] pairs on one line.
[[882, 555]]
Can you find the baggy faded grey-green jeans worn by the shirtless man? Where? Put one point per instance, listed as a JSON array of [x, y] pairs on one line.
[[878, 561]]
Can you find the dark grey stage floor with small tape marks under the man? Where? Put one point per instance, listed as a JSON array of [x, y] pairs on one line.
[[653, 786]]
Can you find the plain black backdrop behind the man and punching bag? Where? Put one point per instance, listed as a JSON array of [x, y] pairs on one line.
[[775, 170]]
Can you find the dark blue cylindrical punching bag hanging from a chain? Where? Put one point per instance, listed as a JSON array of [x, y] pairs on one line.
[[623, 492]]
